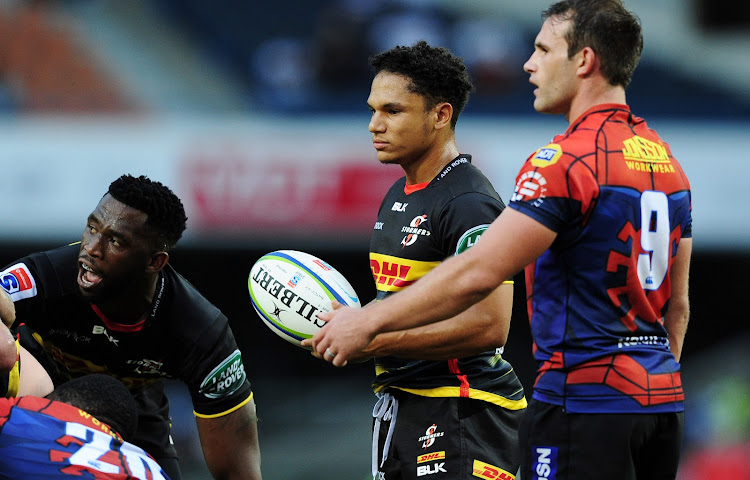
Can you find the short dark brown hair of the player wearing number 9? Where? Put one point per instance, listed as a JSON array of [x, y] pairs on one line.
[[606, 26]]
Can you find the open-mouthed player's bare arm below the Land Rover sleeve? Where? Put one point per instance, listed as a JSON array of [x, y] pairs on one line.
[[230, 444]]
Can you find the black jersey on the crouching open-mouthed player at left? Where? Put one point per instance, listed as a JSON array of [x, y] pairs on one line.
[[183, 336]]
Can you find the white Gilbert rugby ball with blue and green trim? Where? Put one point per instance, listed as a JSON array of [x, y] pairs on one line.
[[289, 289]]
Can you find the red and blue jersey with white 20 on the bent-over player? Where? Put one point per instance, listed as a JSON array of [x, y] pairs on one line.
[[42, 439]]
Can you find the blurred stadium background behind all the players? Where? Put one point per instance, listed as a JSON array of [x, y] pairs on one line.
[[254, 113]]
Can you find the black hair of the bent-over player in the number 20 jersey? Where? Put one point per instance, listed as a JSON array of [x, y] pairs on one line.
[[104, 397]]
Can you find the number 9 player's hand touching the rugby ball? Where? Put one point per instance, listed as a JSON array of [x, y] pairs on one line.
[[343, 337]]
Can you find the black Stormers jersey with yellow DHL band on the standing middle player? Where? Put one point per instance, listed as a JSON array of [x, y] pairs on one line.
[[412, 235]]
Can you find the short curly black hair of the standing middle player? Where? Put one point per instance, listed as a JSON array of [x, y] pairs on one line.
[[435, 74]]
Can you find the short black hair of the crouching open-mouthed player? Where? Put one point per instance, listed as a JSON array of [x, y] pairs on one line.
[[164, 210]]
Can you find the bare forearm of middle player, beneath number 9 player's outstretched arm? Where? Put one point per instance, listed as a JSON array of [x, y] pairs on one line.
[[483, 326]]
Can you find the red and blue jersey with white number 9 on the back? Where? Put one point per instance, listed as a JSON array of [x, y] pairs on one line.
[[620, 203]]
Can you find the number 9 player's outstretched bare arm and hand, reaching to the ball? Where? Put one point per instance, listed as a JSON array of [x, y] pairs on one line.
[[512, 241]]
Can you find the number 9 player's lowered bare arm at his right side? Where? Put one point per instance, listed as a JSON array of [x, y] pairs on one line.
[[678, 313]]
